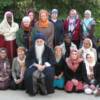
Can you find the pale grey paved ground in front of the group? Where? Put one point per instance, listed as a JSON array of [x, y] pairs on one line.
[[58, 95]]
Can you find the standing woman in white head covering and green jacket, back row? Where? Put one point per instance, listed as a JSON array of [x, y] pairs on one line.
[[25, 33]]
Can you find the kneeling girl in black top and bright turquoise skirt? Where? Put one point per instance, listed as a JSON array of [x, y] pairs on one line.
[[58, 78]]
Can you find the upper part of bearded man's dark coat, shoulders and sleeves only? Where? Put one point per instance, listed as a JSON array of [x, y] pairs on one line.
[[47, 56]]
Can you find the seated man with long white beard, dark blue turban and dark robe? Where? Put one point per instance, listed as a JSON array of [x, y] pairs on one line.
[[40, 57]]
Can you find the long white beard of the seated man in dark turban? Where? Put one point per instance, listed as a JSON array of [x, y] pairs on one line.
[[39, 51]]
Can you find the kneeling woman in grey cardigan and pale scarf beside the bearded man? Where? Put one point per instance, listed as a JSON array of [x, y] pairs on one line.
[[18, 69]]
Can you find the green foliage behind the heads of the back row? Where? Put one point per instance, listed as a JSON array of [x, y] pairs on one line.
[[19, 7]]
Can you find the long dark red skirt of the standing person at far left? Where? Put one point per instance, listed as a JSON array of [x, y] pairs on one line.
[[11, 49]]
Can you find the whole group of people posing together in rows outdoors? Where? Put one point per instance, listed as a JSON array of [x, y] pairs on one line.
[[42, 55]]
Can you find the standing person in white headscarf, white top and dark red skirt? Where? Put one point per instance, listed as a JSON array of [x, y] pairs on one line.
[[8, 29]]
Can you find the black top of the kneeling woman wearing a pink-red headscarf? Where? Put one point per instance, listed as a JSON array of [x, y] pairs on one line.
[[79, 75]]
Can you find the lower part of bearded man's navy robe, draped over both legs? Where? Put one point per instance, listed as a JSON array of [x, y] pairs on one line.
[[49, 77]]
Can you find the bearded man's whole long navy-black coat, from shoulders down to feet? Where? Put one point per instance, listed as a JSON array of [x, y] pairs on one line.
[[47, 56]]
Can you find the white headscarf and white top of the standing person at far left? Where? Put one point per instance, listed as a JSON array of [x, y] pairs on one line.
[[8, 31]]
